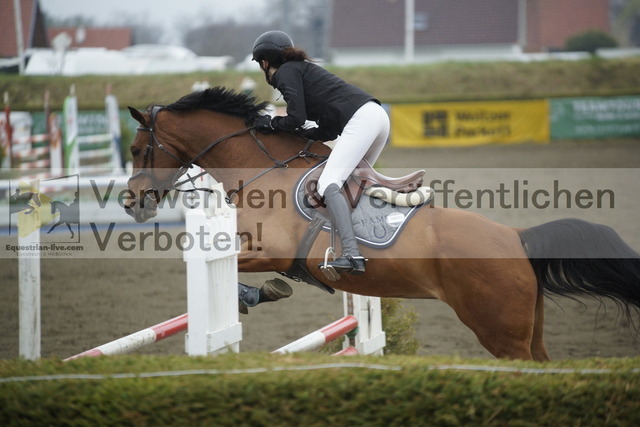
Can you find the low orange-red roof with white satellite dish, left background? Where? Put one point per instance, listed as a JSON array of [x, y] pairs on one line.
[[108, 37]]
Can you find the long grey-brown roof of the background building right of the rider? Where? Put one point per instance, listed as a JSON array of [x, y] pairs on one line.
[[380, 23]]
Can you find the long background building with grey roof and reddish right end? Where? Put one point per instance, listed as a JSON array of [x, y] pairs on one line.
[[373, 31]]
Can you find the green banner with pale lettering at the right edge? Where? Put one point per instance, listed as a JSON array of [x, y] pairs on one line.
[[595, 117]]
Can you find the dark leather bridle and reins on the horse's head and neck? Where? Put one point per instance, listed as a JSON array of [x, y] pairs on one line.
[[148, 158]]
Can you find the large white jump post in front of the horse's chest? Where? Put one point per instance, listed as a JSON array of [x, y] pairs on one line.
[[212, 277]]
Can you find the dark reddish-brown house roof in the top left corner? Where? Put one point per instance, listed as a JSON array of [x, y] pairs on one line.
[[33, 27]]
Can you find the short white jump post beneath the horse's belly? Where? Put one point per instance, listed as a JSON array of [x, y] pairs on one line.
[[370, 338]]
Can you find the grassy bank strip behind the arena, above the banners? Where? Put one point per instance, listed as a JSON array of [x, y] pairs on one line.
[[449, 81]]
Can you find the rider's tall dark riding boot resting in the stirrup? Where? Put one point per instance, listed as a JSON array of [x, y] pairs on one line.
[[351, 260]]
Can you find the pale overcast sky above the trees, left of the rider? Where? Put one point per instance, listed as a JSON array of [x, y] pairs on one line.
[[167, 12]]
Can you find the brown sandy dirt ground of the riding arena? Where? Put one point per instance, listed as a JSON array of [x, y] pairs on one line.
[[87, 302]]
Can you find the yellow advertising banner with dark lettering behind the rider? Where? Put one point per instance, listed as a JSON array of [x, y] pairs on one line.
[[469, 123]]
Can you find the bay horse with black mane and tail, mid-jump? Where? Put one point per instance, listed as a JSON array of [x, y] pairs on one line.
[[493, 276]]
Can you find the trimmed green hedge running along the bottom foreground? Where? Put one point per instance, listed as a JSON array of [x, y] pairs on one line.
[[310, 390]]
